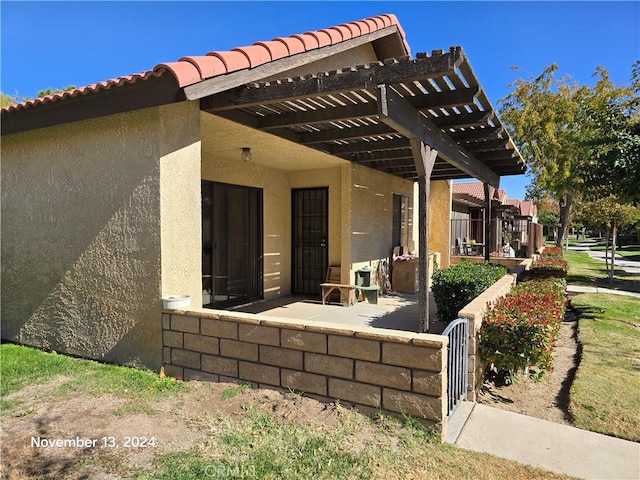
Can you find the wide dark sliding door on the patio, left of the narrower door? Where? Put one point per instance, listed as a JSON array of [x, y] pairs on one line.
[[232, 271]]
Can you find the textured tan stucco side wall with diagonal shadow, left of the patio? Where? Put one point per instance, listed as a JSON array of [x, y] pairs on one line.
[[82, 236]]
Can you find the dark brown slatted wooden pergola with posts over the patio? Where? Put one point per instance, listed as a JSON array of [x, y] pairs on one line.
[[420, 119]]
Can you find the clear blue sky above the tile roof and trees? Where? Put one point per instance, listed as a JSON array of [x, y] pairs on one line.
[[55, 44]]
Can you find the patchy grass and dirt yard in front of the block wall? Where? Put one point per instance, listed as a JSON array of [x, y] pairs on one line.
[[228, 431]]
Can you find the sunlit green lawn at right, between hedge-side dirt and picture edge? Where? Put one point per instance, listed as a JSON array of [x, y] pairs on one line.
[[605, 393]]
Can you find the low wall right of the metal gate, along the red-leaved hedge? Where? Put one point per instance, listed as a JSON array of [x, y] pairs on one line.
[[475, 311]]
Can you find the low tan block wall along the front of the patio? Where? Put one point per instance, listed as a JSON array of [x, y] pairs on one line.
[[399, 372]]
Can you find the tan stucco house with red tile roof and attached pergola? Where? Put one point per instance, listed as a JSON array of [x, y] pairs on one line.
[[211, 177]]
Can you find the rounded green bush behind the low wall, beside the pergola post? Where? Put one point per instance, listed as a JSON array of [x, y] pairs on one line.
[[454, 287]]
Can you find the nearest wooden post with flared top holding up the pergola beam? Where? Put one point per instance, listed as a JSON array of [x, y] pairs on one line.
[[424, 158]]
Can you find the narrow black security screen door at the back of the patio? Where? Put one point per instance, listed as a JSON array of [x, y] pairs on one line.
[[310, 236]]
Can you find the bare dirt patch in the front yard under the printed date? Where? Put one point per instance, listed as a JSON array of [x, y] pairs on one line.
[[107, 440]]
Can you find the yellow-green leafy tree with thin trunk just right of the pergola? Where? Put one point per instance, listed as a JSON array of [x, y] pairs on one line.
[[543, 115]]
